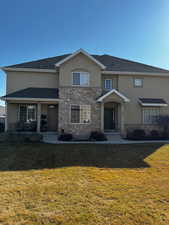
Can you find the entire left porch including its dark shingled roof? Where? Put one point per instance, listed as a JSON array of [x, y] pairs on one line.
[[32, 109]]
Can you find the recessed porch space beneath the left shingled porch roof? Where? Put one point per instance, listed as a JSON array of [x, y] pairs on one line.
[[32, 117]]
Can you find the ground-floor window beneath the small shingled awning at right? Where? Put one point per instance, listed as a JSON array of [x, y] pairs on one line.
[[150, 115]]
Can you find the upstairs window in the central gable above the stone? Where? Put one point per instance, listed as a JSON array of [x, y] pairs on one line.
[[80, 78]]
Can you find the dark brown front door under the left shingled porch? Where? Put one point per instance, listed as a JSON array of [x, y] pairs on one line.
[[52, 118]]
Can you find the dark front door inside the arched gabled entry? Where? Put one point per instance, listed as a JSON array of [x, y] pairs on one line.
[[109, 118]]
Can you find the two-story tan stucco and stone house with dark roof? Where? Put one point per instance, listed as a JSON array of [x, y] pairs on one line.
[[80, 93]]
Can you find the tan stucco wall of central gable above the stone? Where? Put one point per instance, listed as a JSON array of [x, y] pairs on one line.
[[80, 63]]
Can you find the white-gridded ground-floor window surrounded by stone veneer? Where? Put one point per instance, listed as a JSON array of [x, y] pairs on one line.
[[80, 113]]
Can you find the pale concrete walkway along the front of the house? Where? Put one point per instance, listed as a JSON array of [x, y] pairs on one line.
[[52, 138]]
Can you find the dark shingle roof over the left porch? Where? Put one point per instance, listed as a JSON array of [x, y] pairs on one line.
[[51, 93]]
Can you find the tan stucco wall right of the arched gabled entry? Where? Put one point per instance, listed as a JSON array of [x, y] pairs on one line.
[[153, 87]]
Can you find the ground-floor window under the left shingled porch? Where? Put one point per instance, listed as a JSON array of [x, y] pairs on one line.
[[27, 113]]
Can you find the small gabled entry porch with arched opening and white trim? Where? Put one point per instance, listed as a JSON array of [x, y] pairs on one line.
[[113, 111]]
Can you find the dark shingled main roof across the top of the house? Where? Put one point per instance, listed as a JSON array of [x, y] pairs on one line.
[[110, 63]]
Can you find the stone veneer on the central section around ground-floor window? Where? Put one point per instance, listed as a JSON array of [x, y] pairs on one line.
[[79, 96]]
